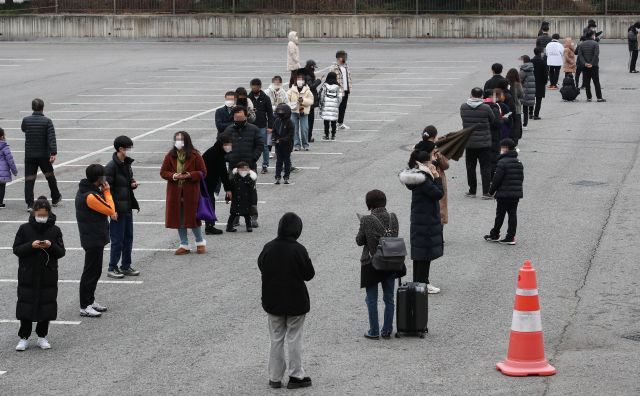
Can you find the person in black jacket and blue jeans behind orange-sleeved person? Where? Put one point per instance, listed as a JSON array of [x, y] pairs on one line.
[[119, 175]]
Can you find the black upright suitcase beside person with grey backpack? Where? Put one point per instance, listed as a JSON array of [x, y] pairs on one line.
[[412, 309]]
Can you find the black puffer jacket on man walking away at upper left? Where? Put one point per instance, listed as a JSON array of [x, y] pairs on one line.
[[39, 136]]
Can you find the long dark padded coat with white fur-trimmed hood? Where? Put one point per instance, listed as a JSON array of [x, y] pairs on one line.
[[426, 226]]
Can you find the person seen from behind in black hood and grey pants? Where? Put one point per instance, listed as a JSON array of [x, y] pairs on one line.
[[285, 267]]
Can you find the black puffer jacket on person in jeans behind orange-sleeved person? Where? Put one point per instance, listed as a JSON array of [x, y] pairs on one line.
[[120, 176]]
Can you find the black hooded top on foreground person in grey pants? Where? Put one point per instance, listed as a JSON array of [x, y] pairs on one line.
[[285, 266]]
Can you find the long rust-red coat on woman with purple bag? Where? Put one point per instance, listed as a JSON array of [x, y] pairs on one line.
[[188, 192]]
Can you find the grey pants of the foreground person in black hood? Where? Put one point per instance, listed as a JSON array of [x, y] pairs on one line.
[[289, 328]]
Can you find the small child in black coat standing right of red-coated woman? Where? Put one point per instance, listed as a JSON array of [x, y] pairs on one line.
[[244, 195]]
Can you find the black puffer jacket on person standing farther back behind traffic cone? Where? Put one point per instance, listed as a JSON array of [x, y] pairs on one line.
[[507, 181]]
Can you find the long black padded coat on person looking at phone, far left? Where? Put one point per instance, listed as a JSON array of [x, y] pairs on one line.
[[37, 273]]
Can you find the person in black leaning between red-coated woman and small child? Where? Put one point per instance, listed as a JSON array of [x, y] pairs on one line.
[[216, 164]]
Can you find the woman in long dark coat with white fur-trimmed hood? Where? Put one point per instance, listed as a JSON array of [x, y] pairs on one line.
[[423, 180]]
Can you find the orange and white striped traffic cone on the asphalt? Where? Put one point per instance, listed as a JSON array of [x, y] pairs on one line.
[[526, 344]]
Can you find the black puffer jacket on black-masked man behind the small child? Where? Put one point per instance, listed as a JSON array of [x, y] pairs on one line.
[[247, 144]]
